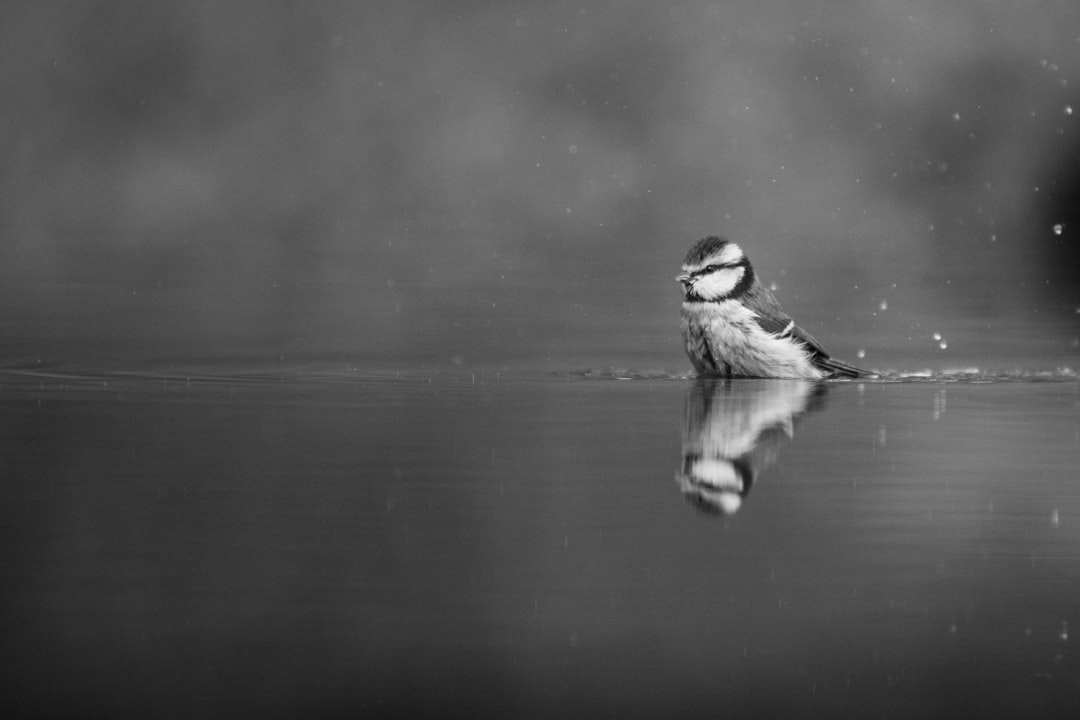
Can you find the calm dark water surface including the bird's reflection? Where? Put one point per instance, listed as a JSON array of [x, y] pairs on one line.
[[337, 544]]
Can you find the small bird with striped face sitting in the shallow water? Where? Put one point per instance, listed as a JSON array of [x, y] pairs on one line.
[[734, 327]]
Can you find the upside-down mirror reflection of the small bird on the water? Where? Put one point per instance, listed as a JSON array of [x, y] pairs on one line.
[[734, 431]]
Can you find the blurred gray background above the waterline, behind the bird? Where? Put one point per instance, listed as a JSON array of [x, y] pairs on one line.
[[497, 183]]
